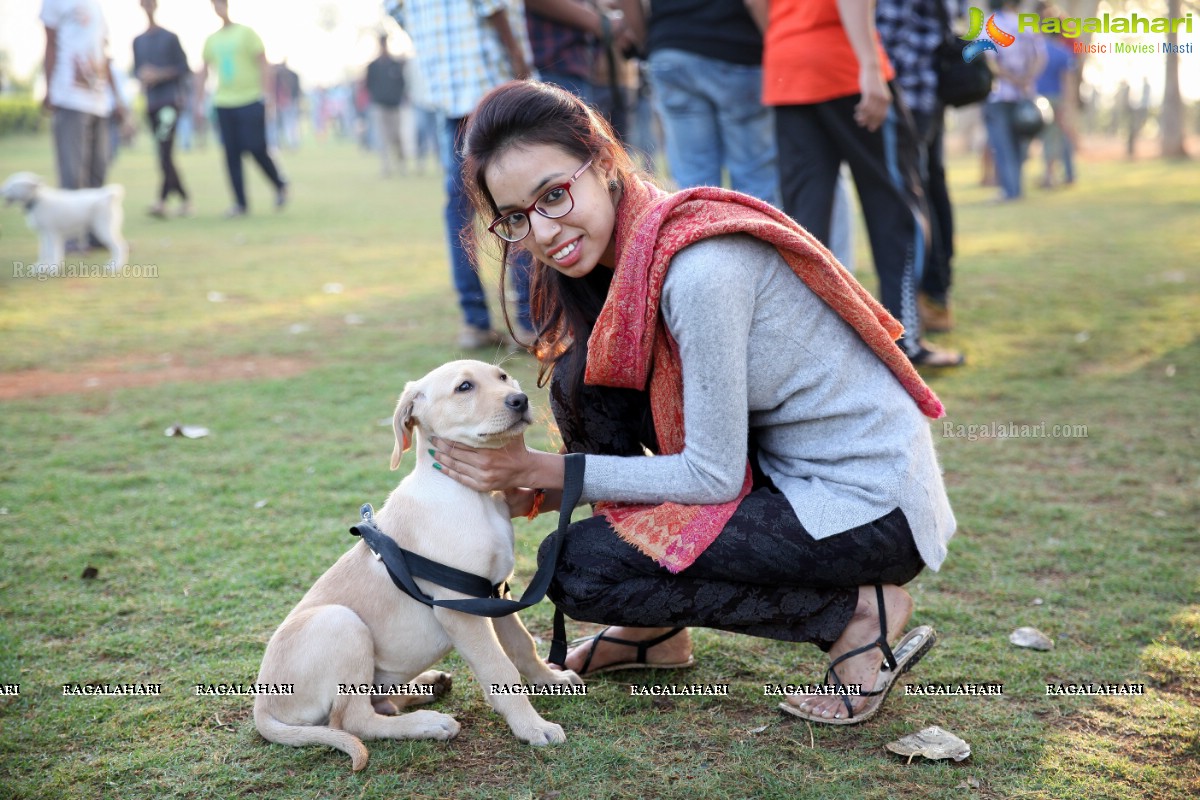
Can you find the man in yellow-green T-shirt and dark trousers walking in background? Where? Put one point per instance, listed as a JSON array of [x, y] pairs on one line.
[[244, 89]]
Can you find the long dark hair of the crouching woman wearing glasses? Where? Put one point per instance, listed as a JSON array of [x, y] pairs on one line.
[[527, 113]]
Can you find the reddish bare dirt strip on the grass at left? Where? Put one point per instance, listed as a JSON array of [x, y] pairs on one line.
[[110, 375]]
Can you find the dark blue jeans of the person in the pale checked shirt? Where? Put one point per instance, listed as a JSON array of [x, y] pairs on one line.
[[459, 216]]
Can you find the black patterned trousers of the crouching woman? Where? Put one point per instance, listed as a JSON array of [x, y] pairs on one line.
[[763, 576]]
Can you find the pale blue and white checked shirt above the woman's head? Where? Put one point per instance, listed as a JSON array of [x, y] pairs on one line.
[[459, 53]]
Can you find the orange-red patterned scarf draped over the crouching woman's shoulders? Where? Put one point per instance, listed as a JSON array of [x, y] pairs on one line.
[[631, 338]]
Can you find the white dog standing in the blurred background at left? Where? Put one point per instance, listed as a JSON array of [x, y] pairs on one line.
[[58, 215]]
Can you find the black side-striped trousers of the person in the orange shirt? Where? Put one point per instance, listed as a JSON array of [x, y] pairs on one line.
[[814, 141]]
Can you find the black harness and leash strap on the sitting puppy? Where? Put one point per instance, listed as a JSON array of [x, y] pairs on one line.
[[487, 599]]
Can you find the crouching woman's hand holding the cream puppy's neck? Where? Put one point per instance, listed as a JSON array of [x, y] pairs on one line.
[[511, 467]]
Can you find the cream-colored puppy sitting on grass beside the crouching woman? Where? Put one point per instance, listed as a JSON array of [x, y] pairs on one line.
[[356, 628]]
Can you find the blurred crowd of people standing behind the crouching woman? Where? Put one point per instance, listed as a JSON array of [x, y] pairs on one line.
[[788, 101]]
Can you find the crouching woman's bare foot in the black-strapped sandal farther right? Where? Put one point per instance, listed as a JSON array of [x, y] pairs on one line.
[[865, 669]]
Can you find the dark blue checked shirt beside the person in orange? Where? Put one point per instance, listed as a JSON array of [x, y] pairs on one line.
[[911, 31]]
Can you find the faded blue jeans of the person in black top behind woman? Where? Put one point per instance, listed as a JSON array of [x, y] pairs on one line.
[[713, 118]]
